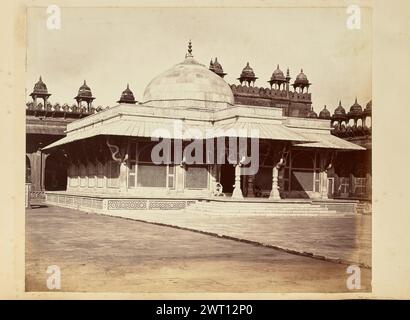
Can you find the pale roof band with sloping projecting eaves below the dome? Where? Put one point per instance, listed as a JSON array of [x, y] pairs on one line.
[[238, 121]]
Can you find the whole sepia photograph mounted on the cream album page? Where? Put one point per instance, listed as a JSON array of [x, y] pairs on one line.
[[198, 150]]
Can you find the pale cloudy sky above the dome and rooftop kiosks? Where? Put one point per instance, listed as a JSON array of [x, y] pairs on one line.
[[110, 47]]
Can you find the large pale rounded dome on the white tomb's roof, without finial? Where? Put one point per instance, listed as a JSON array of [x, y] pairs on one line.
[[188, 85]]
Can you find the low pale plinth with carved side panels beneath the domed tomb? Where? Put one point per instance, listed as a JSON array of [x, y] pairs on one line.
[[214, 205]]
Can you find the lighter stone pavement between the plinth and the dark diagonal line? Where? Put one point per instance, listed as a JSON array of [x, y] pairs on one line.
[[338, 238]]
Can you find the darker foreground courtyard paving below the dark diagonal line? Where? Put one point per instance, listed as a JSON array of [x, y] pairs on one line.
[[102, 253]]
